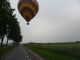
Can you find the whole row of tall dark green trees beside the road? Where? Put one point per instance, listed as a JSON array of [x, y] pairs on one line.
[[9, 25]]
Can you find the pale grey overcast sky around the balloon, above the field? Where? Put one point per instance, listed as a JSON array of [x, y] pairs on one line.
[[56, 21]]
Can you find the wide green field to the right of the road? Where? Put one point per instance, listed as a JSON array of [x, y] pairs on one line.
[[56, 51]]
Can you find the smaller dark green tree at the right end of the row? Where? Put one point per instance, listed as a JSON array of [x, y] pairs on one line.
[[15, 33]]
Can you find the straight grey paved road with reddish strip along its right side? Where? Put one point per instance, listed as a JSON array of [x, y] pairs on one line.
[[20, 53]]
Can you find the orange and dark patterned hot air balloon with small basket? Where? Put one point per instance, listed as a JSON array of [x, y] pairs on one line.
[[28, 9]]
